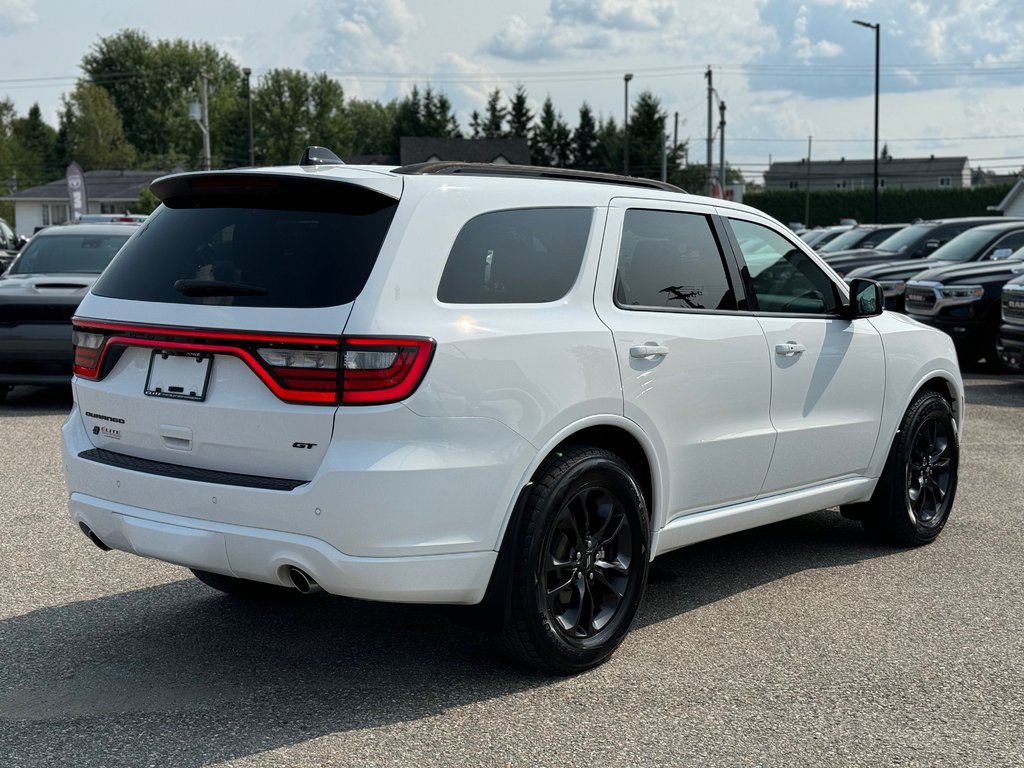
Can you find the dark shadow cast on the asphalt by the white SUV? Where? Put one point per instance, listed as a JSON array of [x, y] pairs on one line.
[[181, 675]]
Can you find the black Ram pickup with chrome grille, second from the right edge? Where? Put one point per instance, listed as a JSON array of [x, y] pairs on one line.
[[964, 302]]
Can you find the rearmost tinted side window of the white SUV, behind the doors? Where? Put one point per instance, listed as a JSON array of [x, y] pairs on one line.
[[519, 257]]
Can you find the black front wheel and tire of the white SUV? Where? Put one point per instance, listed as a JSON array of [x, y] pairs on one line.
[[915, 495]]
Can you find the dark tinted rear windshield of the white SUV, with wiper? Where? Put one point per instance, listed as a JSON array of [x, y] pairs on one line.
[[261, 251]]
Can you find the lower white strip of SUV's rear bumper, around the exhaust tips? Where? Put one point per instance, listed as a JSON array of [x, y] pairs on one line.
[[267, 556]]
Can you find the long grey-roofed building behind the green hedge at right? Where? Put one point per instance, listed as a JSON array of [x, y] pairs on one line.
[[903, 174]]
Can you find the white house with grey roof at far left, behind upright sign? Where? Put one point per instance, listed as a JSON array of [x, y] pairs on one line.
[[107, 192]]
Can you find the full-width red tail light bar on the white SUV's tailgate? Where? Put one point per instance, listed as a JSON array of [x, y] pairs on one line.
[[313, 370]]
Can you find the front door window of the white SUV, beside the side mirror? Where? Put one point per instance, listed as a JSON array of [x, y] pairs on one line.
[[783, 277]]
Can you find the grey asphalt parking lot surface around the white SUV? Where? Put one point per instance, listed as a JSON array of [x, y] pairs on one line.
[[798, 645]]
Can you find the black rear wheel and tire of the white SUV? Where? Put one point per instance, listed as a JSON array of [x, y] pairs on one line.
[[581, 563]]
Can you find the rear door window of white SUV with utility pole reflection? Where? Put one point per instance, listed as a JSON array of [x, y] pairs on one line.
[[671, 260]]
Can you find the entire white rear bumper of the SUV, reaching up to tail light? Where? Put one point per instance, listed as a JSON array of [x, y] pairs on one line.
[[379, 522]]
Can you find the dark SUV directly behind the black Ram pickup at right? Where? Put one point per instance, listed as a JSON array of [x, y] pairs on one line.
[[988, 243]]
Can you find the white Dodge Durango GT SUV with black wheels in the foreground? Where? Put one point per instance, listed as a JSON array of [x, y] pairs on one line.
[[503, 387]]
